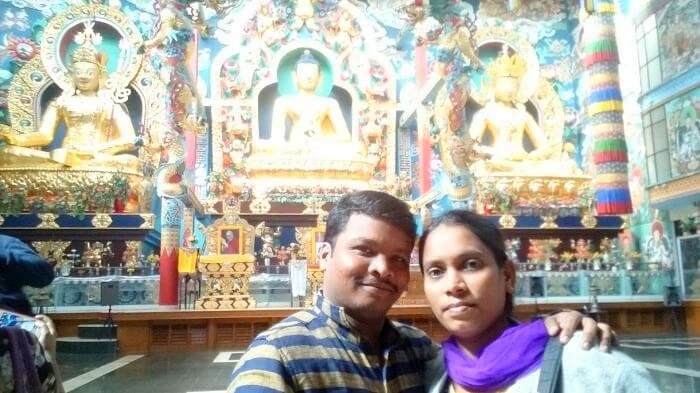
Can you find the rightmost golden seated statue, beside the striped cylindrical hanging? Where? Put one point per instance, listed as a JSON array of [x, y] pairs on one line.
[[508, 122]]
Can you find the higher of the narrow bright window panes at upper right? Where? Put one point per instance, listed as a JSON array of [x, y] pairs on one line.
[[648, 53]]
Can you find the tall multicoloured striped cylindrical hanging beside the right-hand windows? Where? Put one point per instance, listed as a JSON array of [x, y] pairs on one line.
[[604, 110]]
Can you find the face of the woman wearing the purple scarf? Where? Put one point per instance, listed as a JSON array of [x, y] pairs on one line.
[[463, 284]]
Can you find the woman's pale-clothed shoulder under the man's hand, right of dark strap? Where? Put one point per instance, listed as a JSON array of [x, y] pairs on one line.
[[611, 371]]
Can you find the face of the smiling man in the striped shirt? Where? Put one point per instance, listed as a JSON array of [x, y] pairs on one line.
[[368, 267]]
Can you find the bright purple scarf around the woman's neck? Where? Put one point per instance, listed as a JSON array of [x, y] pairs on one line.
[[515, 353]]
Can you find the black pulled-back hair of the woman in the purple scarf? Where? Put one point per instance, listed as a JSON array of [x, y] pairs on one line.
[[482, 228]]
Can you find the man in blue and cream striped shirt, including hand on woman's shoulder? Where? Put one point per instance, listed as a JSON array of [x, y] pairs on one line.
[[345, 342]]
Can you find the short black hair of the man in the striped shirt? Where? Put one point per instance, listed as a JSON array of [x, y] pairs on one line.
[[375, 204]]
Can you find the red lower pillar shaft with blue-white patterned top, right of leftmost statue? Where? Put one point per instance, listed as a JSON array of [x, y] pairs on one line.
[[171, 217]]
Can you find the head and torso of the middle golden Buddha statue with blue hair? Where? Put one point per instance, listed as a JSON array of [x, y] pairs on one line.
[[311, 117]]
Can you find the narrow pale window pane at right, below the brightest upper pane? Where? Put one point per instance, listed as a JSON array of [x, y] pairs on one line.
[[657, 147]]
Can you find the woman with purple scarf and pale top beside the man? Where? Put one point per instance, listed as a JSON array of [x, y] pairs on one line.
[[469, 284]]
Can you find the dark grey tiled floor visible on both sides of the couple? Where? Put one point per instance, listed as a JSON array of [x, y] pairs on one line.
[[674, 362]]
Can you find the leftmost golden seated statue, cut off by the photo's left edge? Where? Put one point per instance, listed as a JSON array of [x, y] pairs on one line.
[[98, 131]]
